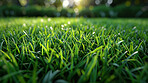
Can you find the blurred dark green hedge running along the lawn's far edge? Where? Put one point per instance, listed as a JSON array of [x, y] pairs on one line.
[[97, 11]]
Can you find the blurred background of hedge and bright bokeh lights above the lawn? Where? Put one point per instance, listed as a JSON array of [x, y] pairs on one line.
[[74, 8]]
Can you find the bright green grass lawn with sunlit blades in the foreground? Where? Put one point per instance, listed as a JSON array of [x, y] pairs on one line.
[[73, 50]]
